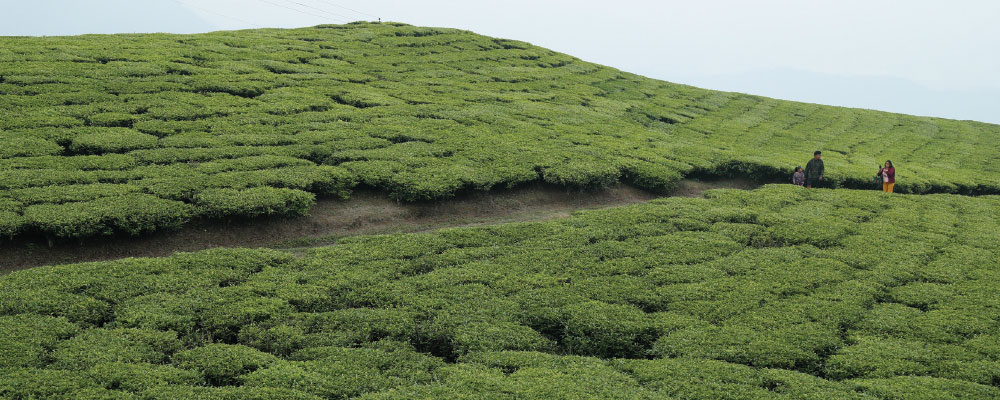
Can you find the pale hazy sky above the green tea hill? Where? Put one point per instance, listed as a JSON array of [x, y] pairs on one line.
[[939, 58]]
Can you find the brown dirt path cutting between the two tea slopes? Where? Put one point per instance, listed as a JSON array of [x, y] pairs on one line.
[[363, 213]]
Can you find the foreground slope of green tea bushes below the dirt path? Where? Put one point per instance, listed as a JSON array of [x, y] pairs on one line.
[[775, 293]]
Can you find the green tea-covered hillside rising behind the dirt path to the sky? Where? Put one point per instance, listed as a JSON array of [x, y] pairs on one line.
[[134, 133]]
